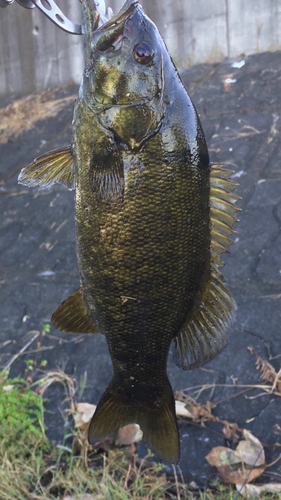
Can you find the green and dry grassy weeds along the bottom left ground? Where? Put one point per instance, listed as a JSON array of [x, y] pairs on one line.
[[33, 469]]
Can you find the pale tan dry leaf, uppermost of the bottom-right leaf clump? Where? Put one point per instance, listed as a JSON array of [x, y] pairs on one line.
[[250, 450]]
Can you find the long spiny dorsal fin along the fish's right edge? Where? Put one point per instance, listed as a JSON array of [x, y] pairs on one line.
[[207, 328]]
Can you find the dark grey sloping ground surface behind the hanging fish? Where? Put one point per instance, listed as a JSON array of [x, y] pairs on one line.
[[38, 266]]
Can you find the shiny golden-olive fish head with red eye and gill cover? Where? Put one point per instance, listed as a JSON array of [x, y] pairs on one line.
[[125, 74]]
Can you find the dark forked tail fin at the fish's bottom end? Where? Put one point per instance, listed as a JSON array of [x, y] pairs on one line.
[[157, 421]]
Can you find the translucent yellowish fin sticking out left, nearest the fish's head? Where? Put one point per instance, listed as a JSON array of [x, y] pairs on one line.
[[55, 167]]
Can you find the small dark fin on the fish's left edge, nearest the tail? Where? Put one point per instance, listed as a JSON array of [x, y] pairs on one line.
[[72, 316]]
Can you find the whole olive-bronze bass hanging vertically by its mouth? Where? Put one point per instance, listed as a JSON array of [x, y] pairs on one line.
[[152, 218]]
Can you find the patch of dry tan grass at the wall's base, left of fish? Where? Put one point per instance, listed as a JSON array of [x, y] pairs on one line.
[[24, 113]]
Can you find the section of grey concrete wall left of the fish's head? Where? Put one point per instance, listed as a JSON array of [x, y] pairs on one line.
[[35, 54]]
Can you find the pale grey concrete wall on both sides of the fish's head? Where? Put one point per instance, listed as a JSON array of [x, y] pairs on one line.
[[36, 55]]
